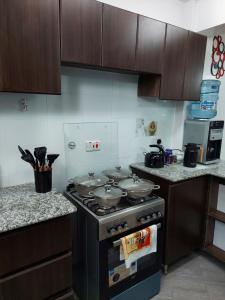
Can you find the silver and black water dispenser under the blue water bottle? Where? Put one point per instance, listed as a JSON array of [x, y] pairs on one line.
[[208, 135]]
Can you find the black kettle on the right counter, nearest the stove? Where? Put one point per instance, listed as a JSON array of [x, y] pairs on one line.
[[155, 159]]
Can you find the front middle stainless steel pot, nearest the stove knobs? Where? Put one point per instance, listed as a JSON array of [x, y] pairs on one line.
[[108, 195]]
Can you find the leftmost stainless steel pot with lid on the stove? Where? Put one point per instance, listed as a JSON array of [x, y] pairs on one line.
[[90, 182]]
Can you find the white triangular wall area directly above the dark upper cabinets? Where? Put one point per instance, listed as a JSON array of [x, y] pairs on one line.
[[176, 12]]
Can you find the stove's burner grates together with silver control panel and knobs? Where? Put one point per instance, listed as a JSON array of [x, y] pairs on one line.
[[128, 214]]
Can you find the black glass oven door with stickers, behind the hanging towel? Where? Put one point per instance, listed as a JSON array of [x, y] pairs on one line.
[[114, 276]]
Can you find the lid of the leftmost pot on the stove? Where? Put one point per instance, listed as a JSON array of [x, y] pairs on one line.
[[91, 180]]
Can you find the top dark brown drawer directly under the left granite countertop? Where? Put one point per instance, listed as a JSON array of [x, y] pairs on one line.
[[35, 243]]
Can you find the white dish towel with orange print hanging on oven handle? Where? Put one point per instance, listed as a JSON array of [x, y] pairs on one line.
[[138, 244]]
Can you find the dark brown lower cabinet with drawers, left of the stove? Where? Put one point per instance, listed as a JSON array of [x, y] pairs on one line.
[[36, 261]]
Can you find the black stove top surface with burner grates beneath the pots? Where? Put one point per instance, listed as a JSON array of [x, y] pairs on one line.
[[99, 210]]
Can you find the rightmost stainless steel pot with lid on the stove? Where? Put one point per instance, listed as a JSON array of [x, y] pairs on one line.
[[137, 187]]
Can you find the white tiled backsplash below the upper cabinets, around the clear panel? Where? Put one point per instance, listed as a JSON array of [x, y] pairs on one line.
[[87, 96]]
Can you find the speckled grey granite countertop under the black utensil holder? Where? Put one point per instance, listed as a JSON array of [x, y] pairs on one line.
[[21, 206]]
